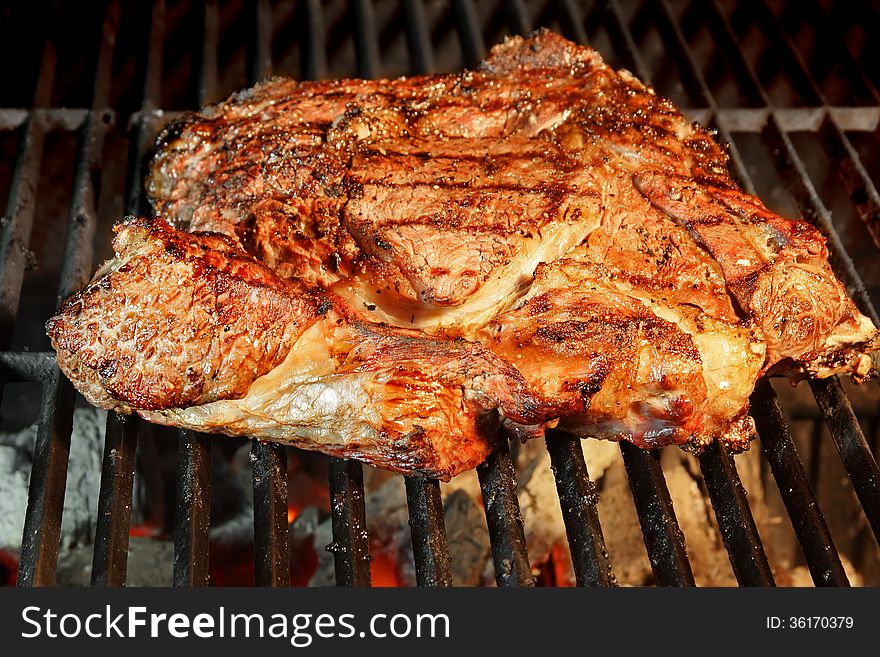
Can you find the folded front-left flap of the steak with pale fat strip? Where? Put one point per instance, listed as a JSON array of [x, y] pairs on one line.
[[189, 330]]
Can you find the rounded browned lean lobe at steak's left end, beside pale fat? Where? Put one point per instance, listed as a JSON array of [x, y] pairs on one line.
[[178, 320]]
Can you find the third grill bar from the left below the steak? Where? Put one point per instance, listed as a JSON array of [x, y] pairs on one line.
[[193, 510]]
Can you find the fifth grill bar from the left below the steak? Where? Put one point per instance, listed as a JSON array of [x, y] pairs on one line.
[[351, 540]]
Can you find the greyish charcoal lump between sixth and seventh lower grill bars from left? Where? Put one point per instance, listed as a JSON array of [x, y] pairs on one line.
[[468, 537]]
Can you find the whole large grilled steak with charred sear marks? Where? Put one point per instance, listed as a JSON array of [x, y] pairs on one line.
[[390, 269]]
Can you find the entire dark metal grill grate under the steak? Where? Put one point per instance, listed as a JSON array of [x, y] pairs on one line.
[[470, 24]]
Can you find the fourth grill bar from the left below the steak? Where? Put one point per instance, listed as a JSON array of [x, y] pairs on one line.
[[271, 551]]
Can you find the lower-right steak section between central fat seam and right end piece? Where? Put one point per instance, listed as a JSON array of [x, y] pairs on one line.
[[632, 334]]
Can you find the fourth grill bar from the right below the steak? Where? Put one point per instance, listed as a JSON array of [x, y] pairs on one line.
[[664, 539]]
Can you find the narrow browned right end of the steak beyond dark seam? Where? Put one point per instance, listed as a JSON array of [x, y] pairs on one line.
[[777, 270]]
